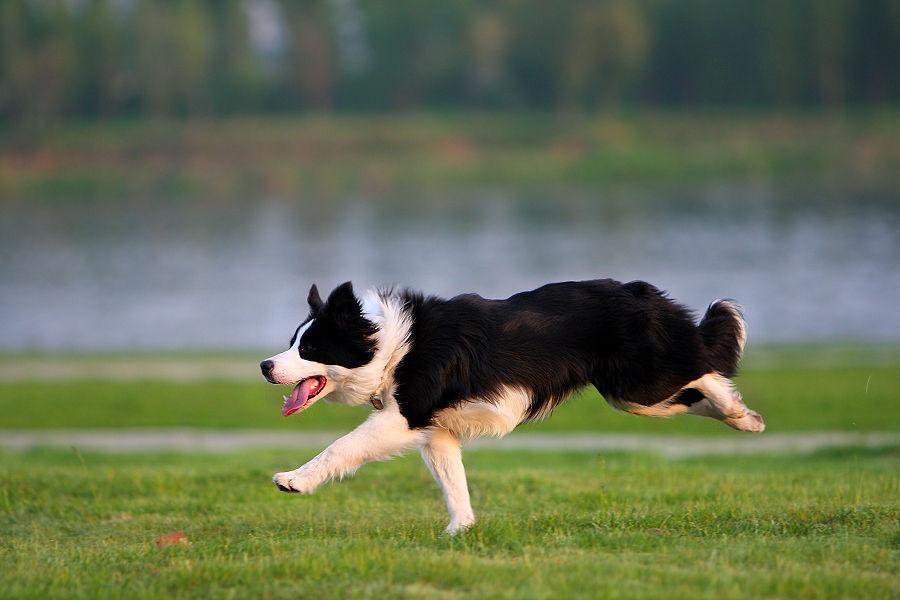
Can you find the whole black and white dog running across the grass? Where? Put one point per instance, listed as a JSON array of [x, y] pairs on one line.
[[442, 371]]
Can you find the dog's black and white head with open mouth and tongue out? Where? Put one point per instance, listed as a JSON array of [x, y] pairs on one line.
[[335, 340]]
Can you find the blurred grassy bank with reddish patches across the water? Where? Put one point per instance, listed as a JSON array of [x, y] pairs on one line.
[[324, 155]]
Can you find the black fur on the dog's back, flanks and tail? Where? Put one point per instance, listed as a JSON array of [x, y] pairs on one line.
[[630, 341]]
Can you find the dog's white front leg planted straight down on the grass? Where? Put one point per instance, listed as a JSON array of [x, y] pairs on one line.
[[443, 455]]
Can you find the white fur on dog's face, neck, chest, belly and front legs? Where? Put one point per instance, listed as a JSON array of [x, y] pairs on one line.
[[386, 432]]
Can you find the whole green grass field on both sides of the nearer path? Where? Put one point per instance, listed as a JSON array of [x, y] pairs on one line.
[[550, 524]]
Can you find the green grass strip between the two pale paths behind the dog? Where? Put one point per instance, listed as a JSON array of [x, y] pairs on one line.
[[791, 399]]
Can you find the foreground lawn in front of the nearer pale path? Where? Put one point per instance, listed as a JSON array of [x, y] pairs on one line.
[[550, 525]]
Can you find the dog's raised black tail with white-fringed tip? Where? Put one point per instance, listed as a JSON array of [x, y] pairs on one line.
[[724, 333]]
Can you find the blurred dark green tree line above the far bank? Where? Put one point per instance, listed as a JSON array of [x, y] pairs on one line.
[[90, 58]]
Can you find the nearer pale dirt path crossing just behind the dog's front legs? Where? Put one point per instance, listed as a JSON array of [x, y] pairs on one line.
[[147, 440]]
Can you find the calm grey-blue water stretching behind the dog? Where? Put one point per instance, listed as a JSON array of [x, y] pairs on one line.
[[808, 263]]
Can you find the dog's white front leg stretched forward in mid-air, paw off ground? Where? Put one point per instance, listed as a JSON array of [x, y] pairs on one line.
[[383, 435]]
